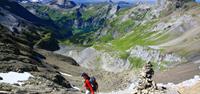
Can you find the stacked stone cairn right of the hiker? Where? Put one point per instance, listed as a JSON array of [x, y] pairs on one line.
[[146, 85]]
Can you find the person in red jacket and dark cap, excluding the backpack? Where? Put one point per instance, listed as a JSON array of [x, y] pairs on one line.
[[87, 84]]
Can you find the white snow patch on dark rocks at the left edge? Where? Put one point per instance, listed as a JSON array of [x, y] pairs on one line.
[[14, 77]]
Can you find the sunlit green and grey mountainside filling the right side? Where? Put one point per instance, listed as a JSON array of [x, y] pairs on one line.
[[145, 33]]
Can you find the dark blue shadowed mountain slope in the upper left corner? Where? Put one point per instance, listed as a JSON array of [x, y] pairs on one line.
[[21, 22]]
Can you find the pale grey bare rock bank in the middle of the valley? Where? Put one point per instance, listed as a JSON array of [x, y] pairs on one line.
[[93, 59]]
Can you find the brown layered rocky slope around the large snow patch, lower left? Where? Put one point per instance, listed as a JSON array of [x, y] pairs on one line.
[[18, 56]]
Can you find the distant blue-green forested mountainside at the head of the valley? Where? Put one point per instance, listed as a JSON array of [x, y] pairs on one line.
[[83, 20]]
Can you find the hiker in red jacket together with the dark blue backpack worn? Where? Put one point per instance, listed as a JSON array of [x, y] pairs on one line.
[[90, 84]]
